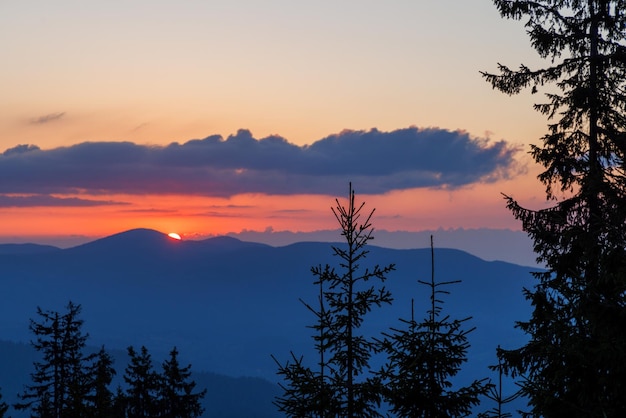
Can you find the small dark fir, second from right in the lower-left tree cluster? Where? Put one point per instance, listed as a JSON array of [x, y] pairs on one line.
[[141, 397]]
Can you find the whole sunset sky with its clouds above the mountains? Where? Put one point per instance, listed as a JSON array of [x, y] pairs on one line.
[[209, 117]]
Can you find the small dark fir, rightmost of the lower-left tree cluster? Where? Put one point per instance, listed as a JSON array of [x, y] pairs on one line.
[[176, 392]]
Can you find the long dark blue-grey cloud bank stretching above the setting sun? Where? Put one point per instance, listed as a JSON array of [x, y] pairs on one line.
[[374, 161]]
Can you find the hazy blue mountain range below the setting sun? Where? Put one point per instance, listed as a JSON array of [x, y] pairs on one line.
[[228, 304]]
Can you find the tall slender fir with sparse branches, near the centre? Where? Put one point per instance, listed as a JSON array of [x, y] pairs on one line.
[[341, 385]]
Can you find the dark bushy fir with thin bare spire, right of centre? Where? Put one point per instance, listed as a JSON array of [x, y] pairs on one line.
[[424, 357]]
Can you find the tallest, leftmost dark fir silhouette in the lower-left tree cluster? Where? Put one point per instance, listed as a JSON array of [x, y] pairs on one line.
[[60, 381]]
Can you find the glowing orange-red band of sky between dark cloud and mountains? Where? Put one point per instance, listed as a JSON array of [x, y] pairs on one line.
[[196, 217]]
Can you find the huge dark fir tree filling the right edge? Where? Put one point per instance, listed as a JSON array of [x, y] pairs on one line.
[[574, 363]]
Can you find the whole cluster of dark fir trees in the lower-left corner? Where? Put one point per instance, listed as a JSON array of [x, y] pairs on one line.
[[68, 382]]
